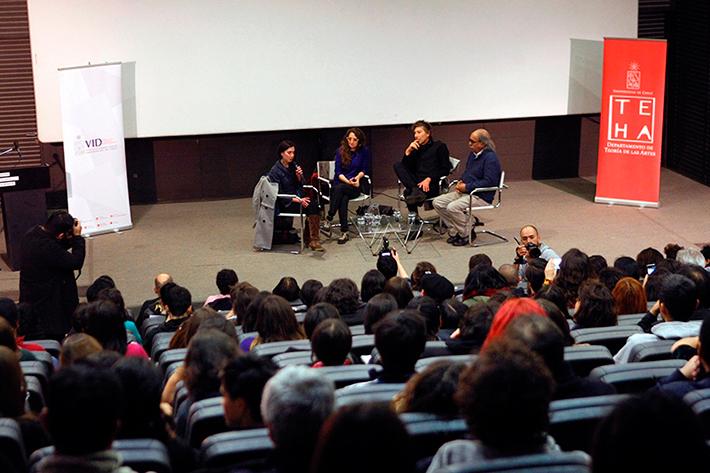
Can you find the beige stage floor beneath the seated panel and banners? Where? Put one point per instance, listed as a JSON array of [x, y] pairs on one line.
[[194, 240]]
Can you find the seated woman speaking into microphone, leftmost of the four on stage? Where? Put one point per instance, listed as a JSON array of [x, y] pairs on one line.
[[289, 177]]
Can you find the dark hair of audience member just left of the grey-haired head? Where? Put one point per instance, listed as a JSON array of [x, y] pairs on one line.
[[245, 377]]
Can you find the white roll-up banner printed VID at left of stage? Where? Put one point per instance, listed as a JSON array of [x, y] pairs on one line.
[[94, 151]]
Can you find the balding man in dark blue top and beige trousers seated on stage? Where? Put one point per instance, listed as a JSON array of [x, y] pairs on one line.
[[482, 170]]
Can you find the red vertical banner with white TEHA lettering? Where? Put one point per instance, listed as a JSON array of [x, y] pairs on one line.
[[631, 124]]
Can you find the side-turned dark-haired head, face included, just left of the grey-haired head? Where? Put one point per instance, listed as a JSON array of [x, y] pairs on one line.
[[243, 379]]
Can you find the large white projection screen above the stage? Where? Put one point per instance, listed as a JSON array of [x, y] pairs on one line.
[[203, 67]]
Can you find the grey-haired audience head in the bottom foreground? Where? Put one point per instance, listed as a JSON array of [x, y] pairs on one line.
[[296, 402]]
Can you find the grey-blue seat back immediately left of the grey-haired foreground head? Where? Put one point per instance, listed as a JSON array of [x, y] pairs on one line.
[[249, 449]]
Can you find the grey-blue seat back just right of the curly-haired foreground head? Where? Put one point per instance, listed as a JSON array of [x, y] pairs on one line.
[[573, 421]]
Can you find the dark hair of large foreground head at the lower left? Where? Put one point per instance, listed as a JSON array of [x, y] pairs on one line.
[[83, 409]]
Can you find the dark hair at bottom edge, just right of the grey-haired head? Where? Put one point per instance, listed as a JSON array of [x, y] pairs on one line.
[[371, 428]]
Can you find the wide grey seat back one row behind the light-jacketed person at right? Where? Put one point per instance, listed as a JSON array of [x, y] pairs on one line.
[[634, 378]]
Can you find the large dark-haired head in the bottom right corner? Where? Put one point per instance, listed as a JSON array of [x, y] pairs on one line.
[[625, 439]]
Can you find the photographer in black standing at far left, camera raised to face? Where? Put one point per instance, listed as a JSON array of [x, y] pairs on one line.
[[50, 254]]
